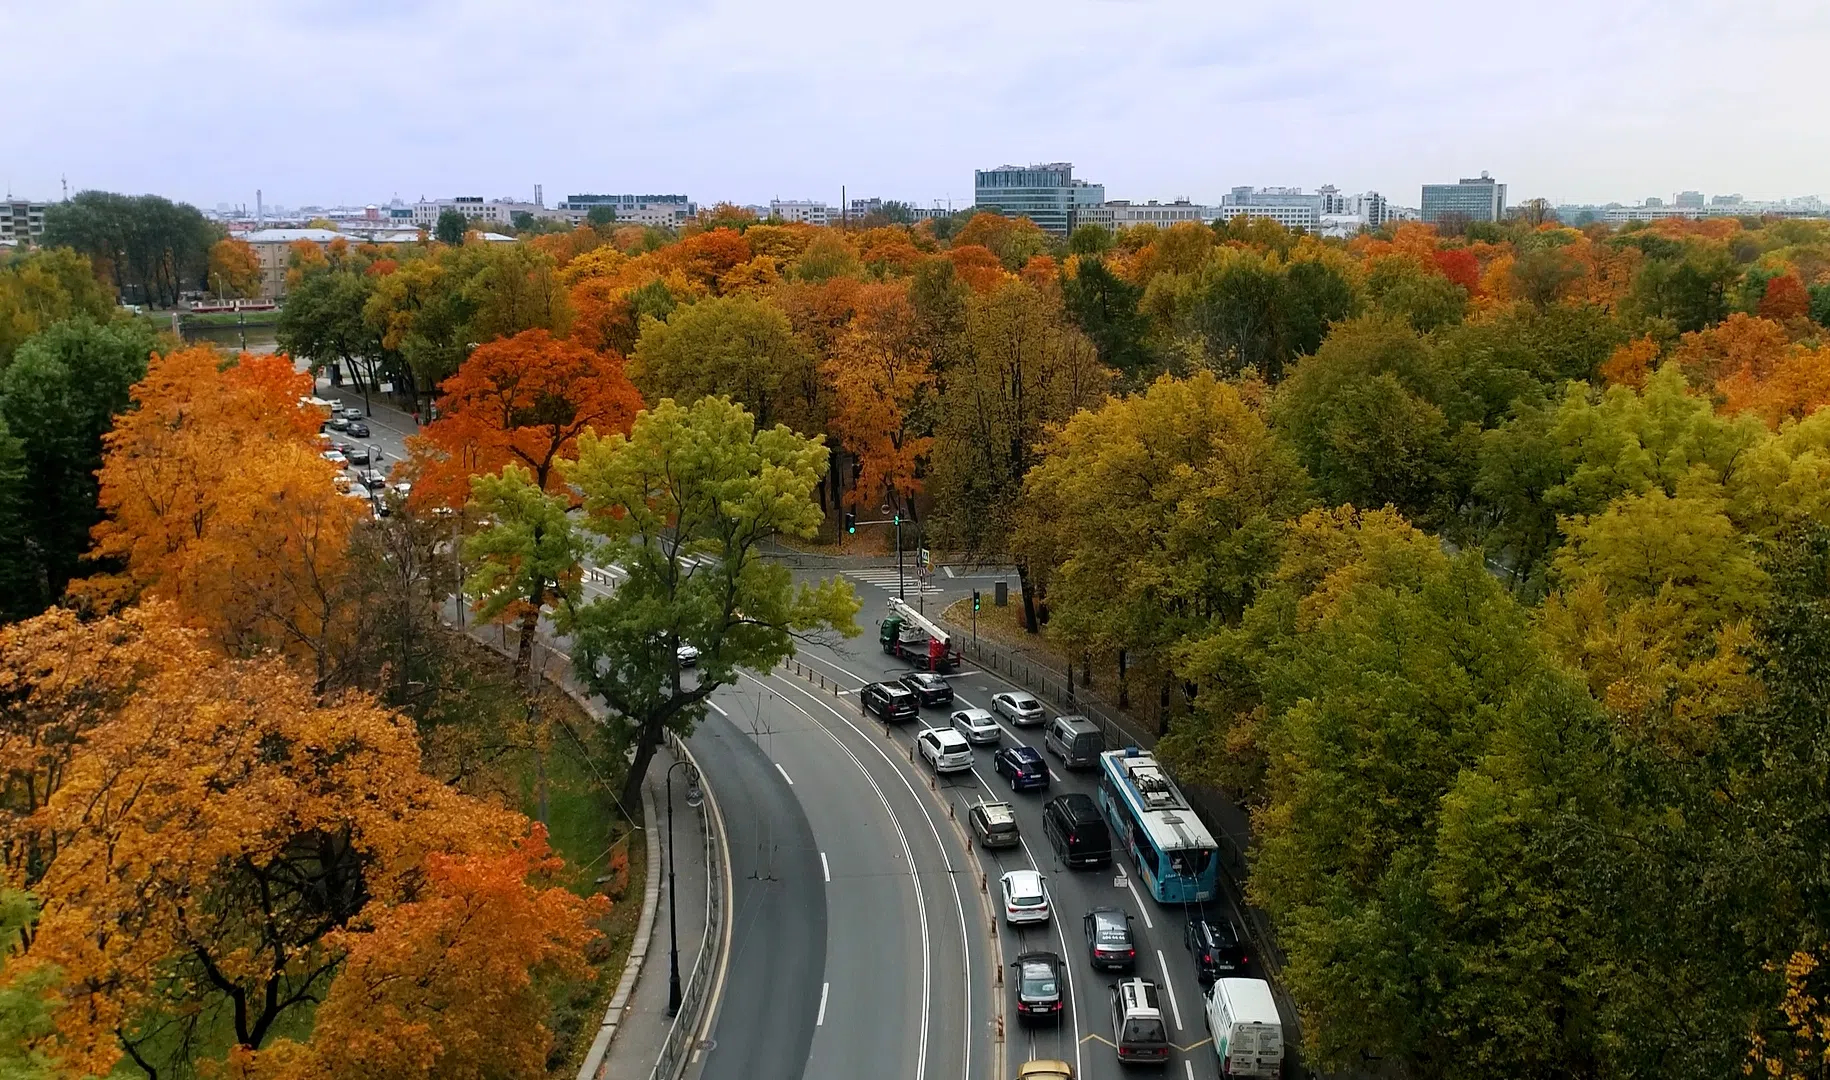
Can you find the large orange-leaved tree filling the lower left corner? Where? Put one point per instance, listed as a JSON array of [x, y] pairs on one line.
[[219, 843]]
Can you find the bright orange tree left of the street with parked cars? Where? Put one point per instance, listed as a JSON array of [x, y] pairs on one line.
[[221, 502]]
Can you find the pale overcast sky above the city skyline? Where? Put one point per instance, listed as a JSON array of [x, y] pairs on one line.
[[354, 102]]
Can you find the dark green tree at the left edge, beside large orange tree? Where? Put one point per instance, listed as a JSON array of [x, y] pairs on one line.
[[59, 398]]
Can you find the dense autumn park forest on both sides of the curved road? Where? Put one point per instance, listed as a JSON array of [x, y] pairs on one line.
[[1487, 567]]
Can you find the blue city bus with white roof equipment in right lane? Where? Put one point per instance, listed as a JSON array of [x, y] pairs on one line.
[[1150, 819]]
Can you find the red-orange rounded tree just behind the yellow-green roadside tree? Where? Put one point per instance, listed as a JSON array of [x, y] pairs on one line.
[[521, 400]]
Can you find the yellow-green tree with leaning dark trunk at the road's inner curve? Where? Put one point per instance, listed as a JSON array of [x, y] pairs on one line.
[[685, 506]]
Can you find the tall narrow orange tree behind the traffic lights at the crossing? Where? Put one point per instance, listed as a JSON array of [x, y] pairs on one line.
[[881, 376]]
